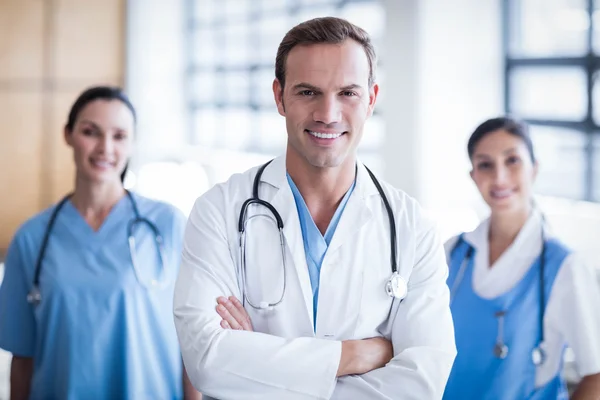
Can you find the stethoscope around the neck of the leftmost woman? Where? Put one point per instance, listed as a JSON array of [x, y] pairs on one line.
[[34, 296]]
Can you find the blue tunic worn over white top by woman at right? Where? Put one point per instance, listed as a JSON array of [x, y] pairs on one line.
[[477, 373]]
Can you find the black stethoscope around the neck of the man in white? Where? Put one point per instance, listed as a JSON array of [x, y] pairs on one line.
[[395, 286]]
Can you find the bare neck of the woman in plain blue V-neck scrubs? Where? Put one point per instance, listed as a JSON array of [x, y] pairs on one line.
[[96, 200]]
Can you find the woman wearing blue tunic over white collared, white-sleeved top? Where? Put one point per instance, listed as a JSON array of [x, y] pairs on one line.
[[518, 295]]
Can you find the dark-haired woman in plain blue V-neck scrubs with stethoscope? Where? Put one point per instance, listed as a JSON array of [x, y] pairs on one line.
[[95, 320]]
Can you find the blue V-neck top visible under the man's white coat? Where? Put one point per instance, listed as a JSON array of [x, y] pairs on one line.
[[315, 244]]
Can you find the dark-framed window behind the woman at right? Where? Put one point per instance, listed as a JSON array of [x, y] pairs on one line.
[[552, 58]]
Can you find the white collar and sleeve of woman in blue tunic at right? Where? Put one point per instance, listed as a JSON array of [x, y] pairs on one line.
[[571, 316]]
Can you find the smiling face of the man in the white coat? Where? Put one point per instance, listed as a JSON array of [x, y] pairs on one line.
[[326, 101]]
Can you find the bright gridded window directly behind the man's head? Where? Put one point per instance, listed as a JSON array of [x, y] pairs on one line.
[[232, 47]]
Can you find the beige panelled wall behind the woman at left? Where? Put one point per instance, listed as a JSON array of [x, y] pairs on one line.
[[50, 50]]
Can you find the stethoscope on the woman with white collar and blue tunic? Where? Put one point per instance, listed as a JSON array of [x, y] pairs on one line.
[[501, 349]]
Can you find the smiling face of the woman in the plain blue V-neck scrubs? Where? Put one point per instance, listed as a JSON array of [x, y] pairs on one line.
[[101, 140]]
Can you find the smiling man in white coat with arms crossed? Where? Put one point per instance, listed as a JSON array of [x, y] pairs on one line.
[[306, 314]]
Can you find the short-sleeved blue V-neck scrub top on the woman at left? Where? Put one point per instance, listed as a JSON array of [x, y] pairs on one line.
[[97, 333]]
